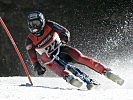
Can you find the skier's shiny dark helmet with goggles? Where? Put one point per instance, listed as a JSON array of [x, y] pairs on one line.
[[36, 22]]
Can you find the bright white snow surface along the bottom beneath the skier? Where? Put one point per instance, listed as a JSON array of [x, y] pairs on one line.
[[48, 88]]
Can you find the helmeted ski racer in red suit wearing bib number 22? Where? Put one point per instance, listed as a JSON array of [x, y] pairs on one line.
[[44, 38]]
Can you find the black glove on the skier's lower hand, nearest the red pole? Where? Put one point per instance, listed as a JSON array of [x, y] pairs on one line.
[[37, 67]]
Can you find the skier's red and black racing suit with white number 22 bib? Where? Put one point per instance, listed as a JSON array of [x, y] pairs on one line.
[[46, 45]]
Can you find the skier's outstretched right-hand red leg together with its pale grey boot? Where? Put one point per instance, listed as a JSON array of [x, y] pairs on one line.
[[95, 65]]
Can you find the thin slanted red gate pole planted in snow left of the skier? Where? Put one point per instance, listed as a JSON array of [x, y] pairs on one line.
[[16, 49]]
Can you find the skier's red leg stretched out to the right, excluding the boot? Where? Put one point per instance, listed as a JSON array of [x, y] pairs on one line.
[[80, 58]]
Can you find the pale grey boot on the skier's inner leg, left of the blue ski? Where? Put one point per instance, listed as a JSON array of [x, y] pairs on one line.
[[73, 81]]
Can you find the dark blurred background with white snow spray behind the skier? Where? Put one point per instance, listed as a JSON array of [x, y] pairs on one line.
[[102, 29]]
